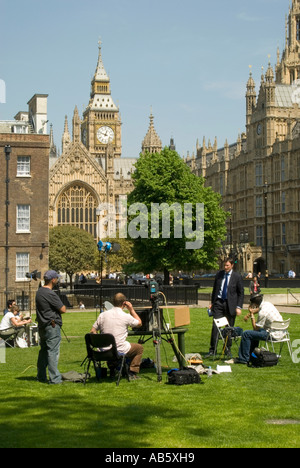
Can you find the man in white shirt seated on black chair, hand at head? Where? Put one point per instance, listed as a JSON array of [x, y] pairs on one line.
[[116, 323]]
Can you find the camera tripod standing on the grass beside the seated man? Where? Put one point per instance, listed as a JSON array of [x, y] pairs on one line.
[[159, 321]]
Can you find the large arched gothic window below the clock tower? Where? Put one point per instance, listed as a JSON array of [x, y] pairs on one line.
[[77, 207]]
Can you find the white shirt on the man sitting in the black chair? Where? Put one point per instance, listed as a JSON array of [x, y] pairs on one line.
[[116, 323]]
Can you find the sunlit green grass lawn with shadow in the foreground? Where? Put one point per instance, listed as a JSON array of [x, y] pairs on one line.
[[229, 410]]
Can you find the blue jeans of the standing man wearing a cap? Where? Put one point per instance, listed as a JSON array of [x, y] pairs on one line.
[[49, 354]]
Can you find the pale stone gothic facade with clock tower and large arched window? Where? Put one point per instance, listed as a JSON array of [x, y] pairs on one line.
[[91, 173]]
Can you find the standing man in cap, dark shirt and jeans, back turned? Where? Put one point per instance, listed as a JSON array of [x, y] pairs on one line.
[[48, 313]]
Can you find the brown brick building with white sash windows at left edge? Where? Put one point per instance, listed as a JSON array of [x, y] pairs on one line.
[[24, 238]]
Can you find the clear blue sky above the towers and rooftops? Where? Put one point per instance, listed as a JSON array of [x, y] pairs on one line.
[[189, 60]]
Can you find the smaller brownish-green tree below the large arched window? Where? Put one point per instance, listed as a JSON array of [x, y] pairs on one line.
[[71, 250]]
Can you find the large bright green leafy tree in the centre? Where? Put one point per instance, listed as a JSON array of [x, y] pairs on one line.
[[165, 178]]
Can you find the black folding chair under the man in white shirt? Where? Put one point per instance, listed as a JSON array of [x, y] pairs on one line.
[[103, 348]]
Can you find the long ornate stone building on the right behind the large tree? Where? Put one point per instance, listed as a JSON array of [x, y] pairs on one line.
[[259, 175]]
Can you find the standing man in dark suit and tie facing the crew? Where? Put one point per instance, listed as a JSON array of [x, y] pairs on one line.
[[227, 298]]
